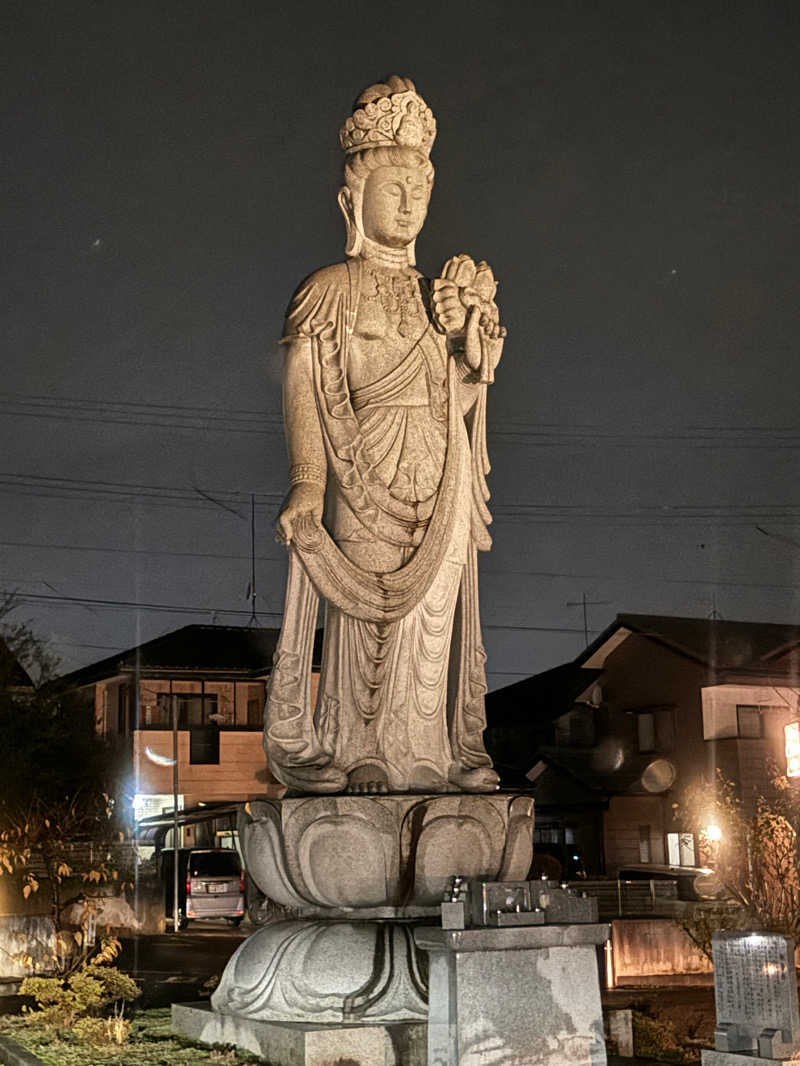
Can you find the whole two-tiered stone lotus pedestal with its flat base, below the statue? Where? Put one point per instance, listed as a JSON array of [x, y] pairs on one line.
[[361, 875]]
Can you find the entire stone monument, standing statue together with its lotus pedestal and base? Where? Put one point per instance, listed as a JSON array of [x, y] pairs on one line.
[[390, 790]]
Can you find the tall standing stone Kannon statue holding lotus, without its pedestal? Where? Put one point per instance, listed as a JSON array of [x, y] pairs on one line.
[[386, 382]]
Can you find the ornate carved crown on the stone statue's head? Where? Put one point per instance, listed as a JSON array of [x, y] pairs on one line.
[[388, 119]]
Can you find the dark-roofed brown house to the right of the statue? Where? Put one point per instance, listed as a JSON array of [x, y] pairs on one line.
[[655, 704]]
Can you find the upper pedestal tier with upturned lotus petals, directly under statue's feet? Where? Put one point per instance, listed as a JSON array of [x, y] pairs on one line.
[[382, 857]]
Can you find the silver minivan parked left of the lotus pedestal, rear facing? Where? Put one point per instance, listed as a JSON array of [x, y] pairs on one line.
[[211, 884]]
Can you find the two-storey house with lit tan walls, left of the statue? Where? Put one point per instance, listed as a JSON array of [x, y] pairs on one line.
[[212, 680]]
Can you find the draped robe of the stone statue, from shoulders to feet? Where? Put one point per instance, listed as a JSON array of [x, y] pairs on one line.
[[403, 681]]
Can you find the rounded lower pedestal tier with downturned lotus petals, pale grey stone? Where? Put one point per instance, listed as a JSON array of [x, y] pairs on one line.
[[327, 972]]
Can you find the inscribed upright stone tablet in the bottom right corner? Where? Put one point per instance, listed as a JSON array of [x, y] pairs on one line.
[[756, 996]]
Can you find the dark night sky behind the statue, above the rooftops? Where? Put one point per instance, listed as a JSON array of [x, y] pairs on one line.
[[631, 171]]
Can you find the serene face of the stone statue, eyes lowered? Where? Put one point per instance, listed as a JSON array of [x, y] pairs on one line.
[[395, 205]]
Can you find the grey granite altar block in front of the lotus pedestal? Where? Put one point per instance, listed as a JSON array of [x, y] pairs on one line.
[[526, 995]]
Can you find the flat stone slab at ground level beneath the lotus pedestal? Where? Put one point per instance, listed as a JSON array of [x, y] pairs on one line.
[[295, 1044]]
